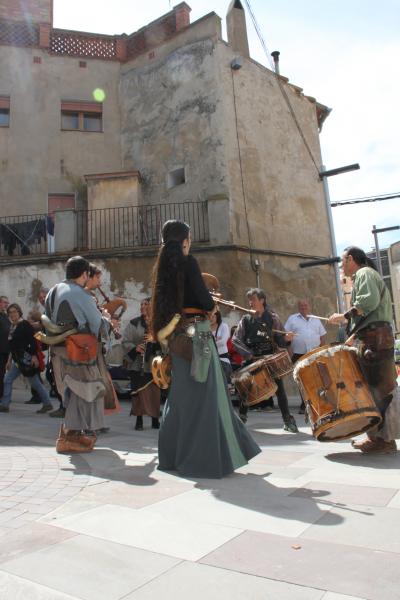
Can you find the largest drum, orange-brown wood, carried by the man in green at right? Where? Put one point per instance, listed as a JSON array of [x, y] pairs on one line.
[[338, 401]]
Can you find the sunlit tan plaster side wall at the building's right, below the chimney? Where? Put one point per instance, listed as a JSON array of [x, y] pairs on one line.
[[284, 196]]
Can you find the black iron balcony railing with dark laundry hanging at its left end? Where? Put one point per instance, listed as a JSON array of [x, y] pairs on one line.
[[98, 229]]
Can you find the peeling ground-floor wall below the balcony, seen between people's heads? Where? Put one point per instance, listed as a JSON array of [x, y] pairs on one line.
[[130, 277]]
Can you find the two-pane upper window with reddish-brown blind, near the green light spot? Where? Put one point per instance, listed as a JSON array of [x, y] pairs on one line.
[[82, 116]]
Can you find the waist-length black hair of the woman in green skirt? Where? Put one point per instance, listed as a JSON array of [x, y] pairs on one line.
[[168, 275]]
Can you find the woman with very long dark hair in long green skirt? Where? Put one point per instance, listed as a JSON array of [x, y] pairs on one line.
[[200, 436]]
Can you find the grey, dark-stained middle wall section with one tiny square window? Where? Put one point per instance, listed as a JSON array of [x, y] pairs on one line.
[[170, 119]]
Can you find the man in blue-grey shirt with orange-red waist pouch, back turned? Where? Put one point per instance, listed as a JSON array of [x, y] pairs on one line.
[[73, 325]]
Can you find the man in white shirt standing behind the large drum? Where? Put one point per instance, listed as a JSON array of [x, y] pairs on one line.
[[310, 334]]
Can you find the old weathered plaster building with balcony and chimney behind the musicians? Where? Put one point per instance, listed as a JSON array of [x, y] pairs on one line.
[[104, 137]]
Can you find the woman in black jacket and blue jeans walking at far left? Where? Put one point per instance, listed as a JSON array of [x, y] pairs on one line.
[[23, 360]]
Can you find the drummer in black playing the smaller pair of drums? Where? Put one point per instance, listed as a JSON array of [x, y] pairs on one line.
[[254, 338]]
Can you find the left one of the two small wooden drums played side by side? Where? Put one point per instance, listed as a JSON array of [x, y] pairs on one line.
[[254, 383]]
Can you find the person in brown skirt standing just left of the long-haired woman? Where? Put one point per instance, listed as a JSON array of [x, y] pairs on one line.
[[139, 353]]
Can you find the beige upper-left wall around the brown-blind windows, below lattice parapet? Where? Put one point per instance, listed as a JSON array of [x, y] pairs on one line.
[[32, 148]]
